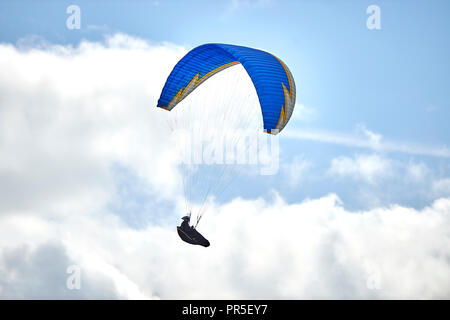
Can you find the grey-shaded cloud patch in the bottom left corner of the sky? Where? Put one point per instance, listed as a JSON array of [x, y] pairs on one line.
[[41, 273]]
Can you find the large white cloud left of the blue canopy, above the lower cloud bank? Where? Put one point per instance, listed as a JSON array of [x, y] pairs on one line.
[[68, 114]]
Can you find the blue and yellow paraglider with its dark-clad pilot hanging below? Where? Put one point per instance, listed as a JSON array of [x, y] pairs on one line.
[[274, 84]]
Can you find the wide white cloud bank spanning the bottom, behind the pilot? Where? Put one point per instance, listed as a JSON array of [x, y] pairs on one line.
[[315, 249]]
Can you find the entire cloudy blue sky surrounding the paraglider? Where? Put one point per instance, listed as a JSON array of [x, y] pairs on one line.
[[358, 208]]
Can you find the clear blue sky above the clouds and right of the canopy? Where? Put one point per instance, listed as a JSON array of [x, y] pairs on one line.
[[392, 81]]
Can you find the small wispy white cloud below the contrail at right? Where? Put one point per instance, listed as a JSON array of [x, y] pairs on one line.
[[370, 168]]
